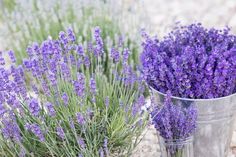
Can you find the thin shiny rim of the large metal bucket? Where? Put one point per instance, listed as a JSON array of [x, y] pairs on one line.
[[189, 99]]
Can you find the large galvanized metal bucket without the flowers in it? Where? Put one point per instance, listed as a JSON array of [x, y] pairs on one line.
[[214, 125]]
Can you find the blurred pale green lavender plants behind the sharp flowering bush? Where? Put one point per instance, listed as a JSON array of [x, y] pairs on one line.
[[29, 21]]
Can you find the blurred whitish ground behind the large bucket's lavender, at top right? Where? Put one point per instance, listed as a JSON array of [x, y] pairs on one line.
[[211, 13]]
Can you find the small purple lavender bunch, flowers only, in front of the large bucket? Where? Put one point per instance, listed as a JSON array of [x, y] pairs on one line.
[[173, 121]]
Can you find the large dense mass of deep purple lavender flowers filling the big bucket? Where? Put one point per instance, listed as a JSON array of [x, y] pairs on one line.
[[192, 62]]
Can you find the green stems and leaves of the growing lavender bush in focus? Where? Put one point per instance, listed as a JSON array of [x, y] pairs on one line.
[[115, 122]]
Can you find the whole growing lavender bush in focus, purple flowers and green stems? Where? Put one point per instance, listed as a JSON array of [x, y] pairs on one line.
[[70, 107]]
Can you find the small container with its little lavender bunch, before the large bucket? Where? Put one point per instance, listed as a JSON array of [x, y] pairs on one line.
[[176, 126]]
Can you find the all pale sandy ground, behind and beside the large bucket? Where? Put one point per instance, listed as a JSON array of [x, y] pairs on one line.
[[159, 16]]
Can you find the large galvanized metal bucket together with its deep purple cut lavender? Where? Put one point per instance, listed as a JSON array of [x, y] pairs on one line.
[[198, 66]]
